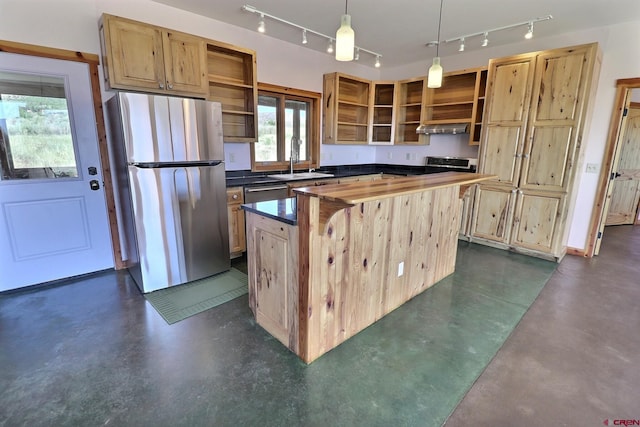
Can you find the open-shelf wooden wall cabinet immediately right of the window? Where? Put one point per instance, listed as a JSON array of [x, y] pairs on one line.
[[346, 109]]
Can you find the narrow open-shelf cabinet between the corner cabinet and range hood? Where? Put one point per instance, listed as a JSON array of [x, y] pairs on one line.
[[409, 99]]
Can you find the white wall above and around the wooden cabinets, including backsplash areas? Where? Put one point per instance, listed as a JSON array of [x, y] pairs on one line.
[[72, 24]]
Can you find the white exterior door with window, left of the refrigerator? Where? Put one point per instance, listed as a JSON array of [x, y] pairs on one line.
[[53, 216]]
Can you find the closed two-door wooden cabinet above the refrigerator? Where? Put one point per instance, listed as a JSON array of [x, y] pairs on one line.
[[139, 56]]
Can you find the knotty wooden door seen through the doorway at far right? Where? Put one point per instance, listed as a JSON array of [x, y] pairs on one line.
[[625, 197]]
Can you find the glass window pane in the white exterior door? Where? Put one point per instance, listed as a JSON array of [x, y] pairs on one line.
[[35, 132]]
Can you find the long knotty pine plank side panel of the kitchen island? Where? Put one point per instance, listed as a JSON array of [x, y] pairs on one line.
[[355, 281]]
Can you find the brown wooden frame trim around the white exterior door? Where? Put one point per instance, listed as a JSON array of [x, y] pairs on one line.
[[92, 60]]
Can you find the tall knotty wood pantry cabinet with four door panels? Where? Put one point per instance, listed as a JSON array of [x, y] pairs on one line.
[[536, 108]]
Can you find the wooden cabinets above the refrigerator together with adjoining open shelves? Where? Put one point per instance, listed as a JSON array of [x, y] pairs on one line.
[[146, 58]]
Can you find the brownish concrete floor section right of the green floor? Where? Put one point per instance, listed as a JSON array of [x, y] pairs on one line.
[[574, 359]]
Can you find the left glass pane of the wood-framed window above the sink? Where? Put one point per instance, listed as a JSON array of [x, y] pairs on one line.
[[266, 149]]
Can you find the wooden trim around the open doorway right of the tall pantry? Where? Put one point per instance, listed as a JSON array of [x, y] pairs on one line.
[[623, 87]]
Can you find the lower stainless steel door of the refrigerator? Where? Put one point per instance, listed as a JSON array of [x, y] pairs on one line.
[[180, 221]]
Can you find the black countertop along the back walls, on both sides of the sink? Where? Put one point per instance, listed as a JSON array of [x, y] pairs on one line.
[[246, 177]]
